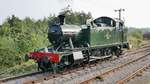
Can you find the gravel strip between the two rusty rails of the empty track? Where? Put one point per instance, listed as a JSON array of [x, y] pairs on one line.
[[112, 79]]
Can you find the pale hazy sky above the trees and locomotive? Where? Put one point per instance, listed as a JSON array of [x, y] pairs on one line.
[[136, 14]]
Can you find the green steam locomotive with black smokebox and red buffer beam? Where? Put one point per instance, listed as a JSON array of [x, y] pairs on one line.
[[80, 44]]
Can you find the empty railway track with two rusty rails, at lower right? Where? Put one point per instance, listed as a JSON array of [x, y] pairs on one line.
[[114, 75]]
